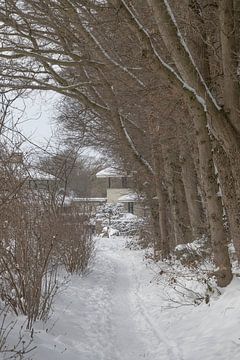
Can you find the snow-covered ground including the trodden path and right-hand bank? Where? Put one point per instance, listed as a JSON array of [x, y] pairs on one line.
[[118, 313]]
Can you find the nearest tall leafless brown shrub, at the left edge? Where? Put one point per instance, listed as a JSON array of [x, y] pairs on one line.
[[27, 235]]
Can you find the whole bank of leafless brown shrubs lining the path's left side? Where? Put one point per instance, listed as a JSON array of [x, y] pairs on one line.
[[35, 237]]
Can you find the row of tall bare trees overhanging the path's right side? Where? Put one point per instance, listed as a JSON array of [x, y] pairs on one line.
[[154, 84]]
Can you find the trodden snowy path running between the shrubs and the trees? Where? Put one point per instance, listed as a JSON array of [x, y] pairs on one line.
[[103, 317]]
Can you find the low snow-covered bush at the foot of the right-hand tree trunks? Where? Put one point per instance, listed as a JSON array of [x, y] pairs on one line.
[[188, 276]]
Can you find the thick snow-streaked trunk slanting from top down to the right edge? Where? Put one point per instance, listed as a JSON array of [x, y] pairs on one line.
[[218, 120]]
